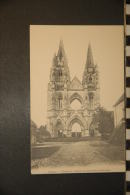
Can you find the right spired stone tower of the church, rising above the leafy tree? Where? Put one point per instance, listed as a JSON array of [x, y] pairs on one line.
[[90, 82]]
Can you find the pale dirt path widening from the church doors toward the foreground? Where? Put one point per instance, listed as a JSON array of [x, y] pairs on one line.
[[79, 153]]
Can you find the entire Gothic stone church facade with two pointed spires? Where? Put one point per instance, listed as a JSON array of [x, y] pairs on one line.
[[64, 118]]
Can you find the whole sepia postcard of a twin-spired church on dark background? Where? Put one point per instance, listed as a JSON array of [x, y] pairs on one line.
[[77, 110]]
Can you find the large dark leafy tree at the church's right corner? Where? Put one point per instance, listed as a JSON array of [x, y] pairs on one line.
[[103, 120]]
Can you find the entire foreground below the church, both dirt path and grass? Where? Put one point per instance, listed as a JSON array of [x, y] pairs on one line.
[[80, 156]]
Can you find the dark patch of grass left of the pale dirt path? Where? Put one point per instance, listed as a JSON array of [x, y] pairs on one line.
[[39, 153]]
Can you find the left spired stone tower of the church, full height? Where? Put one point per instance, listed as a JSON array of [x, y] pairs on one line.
[[57, 90]]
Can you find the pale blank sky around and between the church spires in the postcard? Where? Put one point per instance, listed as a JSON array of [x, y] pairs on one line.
[[108, 52]]
